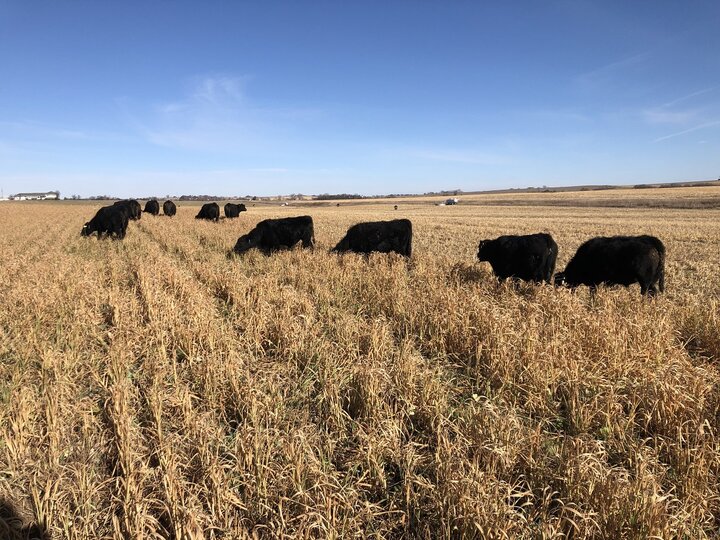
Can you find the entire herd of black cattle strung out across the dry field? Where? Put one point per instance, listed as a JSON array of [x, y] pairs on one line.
[[616, 260]]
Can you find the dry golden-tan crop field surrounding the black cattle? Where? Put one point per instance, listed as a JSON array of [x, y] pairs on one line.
[[152, 388]]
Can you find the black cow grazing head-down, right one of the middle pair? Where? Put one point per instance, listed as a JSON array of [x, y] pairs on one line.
[[382, 236]]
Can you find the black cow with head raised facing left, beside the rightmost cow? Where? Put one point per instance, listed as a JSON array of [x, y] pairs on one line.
[[528, 258]]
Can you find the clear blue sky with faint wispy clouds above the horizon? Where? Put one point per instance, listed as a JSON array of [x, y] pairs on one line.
[[157, 97]]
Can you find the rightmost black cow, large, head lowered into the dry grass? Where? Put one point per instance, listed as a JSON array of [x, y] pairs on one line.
[[617, 260]]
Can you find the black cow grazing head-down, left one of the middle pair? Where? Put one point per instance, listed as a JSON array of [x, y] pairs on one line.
[[273, 234]]
